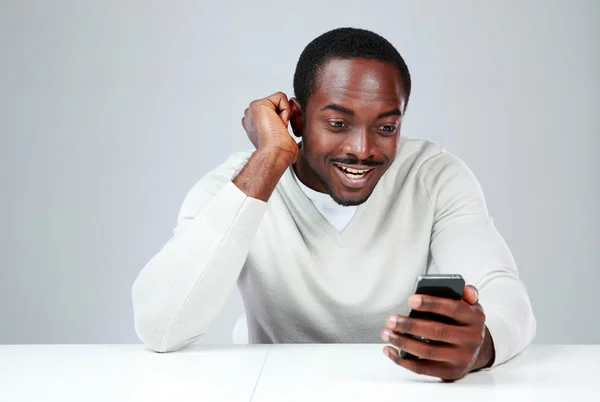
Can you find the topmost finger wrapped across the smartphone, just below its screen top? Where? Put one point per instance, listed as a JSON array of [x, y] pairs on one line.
[[458, 310]]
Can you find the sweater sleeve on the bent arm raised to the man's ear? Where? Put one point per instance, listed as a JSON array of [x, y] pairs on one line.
[[185, 285]]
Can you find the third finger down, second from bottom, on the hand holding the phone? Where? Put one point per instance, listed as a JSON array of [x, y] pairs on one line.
[[419, 348]]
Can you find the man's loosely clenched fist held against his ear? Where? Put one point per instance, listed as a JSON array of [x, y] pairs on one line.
[[265, 122]]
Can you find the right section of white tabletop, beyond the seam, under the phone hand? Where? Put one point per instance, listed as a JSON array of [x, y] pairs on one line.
[[363, 373]]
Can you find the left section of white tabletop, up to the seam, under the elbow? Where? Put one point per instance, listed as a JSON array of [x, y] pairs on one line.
[[115, 373]]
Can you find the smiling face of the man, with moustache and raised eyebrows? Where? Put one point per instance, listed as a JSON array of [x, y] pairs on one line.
[[349, 128]]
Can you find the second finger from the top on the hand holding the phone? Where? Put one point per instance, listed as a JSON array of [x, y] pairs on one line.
[[429, 329]]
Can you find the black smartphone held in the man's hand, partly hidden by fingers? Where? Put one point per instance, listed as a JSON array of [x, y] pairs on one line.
[[450, 286]]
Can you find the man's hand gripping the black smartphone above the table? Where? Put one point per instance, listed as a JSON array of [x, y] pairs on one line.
[[453, 350]]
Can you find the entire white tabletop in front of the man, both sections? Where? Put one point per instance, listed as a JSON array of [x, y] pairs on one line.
[[281, 373]]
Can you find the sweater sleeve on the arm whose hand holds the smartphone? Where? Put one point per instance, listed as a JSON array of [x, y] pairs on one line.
[[464, 240]]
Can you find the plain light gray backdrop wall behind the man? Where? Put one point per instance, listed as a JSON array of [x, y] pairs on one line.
[[111, 110]]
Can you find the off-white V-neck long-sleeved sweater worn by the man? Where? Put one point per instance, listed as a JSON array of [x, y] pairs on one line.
[[303, 281]]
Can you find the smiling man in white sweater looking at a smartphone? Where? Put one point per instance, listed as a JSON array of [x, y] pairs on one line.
[[325, 238]]
